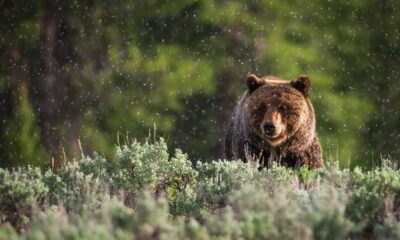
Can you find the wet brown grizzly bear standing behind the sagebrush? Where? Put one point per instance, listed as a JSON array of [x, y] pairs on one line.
[[274, 121]]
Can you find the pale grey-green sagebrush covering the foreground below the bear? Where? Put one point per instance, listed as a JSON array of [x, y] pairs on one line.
[[144, 193]]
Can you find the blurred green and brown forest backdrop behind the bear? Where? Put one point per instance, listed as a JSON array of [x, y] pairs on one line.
[[95, 69]]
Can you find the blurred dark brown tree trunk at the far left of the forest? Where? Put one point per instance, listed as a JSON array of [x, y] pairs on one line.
[[53, 90]]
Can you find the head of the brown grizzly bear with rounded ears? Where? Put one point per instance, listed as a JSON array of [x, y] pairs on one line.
[[277, 109]]
